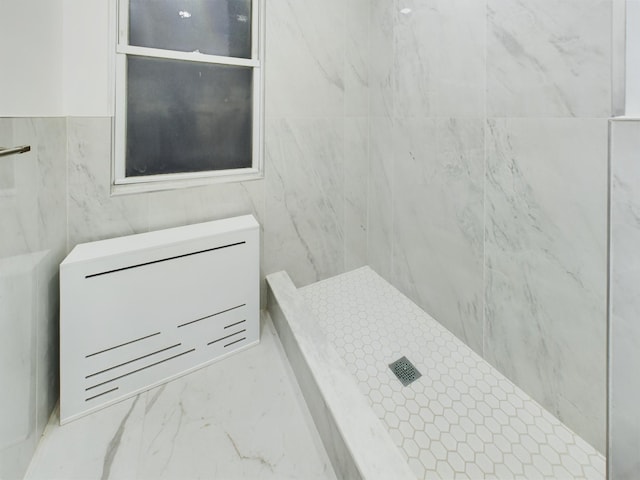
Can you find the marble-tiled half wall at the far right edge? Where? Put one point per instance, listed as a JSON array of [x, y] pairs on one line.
[[624, 303]]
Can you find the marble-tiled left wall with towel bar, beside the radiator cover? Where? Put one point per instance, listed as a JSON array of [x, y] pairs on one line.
[[33, 220]]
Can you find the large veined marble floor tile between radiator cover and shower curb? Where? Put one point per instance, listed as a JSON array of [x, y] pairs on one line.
[[235, 419]]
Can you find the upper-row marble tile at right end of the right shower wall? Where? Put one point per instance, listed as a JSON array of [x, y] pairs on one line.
[[549, 58]]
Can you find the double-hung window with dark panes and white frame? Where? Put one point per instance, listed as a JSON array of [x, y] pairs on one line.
[[188, 93]]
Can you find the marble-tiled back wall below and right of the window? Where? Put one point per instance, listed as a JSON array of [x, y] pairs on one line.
[[312, 203]]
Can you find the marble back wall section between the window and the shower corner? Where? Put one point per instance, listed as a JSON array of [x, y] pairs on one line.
[[316, 137]]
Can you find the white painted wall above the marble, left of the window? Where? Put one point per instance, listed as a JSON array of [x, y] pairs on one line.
[[56, 57]]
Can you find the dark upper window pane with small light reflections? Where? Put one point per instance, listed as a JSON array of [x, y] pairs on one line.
[[215, 27]]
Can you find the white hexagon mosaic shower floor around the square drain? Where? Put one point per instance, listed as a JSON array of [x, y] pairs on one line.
[[462, 419]]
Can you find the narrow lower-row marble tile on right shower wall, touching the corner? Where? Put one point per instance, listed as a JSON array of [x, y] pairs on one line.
[[379, 245]]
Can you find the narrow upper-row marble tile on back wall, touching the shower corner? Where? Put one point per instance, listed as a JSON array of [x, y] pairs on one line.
[[356, 66]]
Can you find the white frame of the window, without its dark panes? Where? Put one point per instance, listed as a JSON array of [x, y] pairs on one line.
[[121, 184]]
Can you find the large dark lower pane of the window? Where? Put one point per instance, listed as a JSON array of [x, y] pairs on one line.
[[187, 116]]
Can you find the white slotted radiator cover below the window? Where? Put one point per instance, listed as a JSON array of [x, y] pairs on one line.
[[138, 311]]
